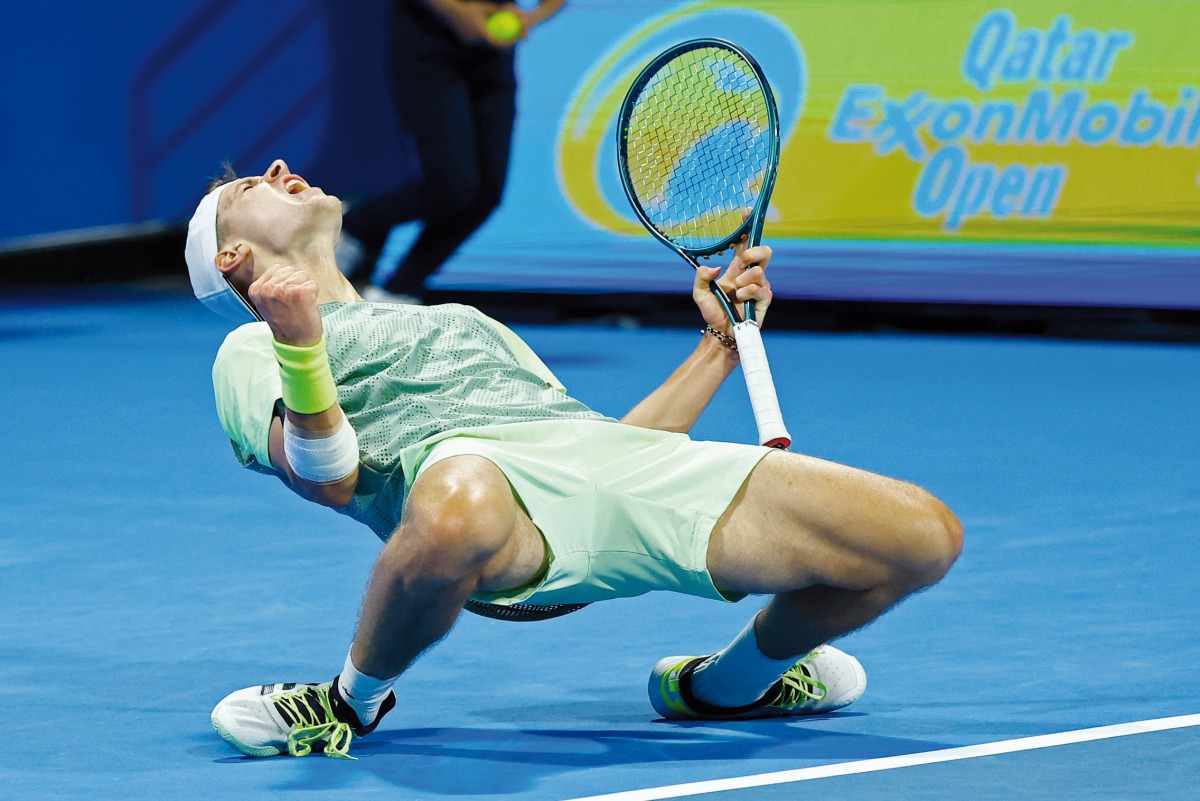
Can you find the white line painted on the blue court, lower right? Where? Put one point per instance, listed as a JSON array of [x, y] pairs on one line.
[[905, 761]]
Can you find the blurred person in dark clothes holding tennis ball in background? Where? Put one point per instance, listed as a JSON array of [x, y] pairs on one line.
[[454, 86]]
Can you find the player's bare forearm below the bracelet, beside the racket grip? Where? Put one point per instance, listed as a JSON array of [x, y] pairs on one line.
[[683, 398]]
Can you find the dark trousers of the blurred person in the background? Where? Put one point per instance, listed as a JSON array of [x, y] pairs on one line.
[[459, 106]]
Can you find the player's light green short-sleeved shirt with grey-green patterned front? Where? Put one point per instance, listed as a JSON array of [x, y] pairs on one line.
[[404, 375]]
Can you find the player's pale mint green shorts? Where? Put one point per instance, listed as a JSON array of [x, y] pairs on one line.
[[623, 510]]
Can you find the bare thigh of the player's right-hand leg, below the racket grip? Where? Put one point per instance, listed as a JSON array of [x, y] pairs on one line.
[[800, 522]]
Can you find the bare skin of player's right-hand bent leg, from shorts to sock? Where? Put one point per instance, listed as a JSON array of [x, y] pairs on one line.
[[836, 546]]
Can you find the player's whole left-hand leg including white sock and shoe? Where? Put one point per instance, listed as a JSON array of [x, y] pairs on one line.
[[463, 531]]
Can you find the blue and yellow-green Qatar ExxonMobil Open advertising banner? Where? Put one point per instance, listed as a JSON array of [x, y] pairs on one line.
[[1036, 152]]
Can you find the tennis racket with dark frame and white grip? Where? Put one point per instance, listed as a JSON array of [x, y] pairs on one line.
[[698, 143]]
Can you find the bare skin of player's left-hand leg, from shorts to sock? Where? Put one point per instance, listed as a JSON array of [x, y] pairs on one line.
[[463, 532]]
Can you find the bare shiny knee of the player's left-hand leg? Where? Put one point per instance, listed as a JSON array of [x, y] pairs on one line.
[[459, 516]]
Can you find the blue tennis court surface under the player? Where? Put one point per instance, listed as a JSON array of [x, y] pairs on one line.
[[143, 576]]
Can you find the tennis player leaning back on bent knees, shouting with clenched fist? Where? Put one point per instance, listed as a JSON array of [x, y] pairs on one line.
[[446, 435]]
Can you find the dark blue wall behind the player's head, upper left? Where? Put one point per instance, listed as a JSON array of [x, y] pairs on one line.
[[118, 113]]
